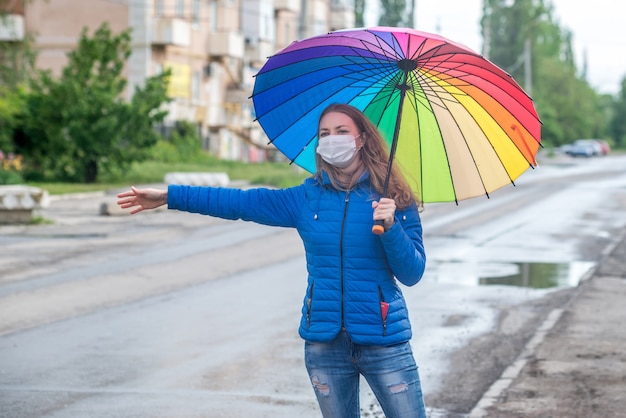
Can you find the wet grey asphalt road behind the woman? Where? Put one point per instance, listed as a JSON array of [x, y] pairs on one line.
[[178, 315]]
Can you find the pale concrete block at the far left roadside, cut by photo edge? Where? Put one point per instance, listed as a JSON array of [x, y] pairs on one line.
[[17, 203]]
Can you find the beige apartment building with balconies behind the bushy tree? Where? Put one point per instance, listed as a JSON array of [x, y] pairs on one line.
[[212, 47]]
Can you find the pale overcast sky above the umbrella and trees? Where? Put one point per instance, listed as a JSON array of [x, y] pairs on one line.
[[598, 28]]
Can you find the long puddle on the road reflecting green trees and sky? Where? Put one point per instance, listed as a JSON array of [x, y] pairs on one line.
[[532, 275]]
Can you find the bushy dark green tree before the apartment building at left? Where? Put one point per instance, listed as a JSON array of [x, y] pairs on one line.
[[79, 124]]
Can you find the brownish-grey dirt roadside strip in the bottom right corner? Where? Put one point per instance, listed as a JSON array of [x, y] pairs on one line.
[[579, 367]]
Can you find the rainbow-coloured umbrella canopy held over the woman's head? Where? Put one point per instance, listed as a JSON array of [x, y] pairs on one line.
[[457, 125]]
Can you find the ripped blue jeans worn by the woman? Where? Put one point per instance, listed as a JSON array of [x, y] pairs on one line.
[[335, 368]]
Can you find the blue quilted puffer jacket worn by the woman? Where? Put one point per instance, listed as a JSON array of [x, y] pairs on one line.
[[350, 270]]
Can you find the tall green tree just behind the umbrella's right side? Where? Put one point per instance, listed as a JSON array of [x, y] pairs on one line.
[[523, 38]]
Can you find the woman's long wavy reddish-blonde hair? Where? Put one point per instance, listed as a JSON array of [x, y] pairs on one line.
[[374, 157]]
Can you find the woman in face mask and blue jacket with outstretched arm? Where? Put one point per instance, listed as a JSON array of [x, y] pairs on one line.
[[354, 317]]
